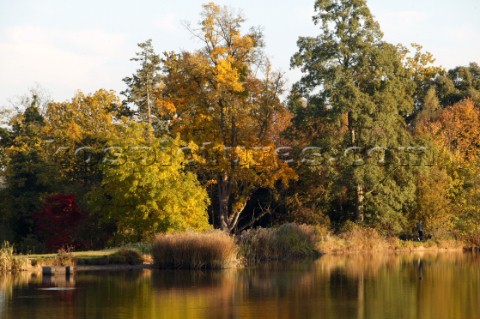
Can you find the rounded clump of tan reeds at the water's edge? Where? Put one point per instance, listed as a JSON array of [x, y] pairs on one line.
[[194, 250]]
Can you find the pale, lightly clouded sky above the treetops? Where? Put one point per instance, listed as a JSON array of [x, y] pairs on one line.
[[63, 46]]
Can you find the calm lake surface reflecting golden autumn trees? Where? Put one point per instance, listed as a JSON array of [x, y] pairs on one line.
[[415, 286]]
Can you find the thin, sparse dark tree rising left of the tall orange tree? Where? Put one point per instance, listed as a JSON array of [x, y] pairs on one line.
[[142, 86]]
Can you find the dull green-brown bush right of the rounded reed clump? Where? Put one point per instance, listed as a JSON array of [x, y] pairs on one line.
[[289, 241]]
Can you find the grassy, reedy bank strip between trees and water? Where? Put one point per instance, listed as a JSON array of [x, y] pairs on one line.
[[216, 249]]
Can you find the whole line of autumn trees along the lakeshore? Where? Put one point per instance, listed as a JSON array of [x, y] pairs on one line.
[[372, 133]]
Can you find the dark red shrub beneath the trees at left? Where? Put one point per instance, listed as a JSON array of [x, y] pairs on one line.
[[59, 221]]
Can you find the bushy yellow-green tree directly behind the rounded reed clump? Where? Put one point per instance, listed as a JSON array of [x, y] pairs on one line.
[[145, 189]]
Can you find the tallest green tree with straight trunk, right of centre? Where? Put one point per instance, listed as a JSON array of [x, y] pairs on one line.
[[357, 92]]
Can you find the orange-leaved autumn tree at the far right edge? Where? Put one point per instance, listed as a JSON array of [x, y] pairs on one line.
[[454, 132]]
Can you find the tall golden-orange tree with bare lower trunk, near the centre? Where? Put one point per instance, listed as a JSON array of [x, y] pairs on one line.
[[217, 101]]
